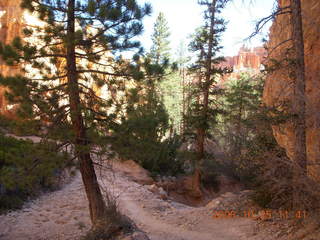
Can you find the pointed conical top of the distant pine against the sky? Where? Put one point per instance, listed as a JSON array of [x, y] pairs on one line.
[[160, 49]]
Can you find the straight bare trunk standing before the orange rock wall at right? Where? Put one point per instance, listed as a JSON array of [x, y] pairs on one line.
[[299, 101]]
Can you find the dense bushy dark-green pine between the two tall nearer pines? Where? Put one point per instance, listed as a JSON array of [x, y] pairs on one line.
[[143, 125]]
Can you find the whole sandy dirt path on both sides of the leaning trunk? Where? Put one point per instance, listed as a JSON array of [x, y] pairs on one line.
[[64, 215]]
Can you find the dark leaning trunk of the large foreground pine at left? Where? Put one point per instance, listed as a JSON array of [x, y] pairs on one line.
[[89, 178]]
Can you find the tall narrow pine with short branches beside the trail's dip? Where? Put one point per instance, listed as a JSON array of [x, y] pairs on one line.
[[206, 45]]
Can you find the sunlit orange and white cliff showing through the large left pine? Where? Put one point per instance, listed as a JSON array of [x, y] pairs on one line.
[[12, 21]]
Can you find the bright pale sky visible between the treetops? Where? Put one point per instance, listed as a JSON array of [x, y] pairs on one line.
[[241, 17]]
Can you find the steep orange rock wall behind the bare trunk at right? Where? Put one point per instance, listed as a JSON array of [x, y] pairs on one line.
[[278, 87]]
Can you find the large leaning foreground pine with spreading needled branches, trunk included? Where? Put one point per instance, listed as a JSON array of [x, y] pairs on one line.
[[64, 62]]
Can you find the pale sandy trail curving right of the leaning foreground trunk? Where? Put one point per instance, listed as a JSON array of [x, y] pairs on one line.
[[168, 220]]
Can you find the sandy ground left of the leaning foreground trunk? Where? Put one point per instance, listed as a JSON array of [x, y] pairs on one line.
[[56, 215]]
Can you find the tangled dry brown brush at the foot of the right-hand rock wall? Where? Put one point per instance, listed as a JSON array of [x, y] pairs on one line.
[[290, 187]]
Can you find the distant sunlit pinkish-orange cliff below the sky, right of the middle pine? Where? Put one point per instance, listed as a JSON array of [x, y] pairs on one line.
[[247, 60]]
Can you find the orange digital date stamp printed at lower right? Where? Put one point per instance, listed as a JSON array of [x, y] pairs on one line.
[[264, 214]]
